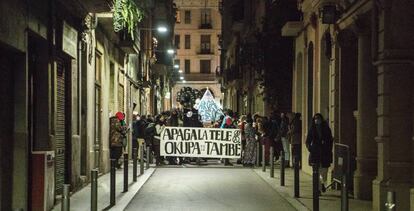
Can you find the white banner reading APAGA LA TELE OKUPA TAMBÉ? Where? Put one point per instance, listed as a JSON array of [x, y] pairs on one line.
[[200, 142]]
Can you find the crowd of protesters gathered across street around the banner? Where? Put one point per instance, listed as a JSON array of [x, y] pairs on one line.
[[282, 131]]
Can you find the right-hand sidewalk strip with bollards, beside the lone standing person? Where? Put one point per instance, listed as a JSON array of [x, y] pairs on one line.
[[328, 201]]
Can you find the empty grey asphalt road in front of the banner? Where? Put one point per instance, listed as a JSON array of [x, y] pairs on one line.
[[207, 189]]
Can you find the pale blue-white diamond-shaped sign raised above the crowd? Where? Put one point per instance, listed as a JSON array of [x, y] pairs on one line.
[[208, 109]]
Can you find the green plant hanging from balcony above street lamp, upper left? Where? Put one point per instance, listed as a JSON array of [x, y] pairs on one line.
[[126, 16]]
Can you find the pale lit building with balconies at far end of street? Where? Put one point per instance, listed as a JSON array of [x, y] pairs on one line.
[[197, 34]]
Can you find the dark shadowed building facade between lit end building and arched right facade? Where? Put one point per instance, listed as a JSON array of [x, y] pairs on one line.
[[256, 60]]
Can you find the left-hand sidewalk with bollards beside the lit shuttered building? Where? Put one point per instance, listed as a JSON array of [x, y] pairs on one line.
[[81, 200]]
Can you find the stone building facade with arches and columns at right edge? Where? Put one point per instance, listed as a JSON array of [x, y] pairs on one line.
[[354, 65]]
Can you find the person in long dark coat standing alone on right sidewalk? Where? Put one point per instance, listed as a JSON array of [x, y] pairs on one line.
[[319, 143]]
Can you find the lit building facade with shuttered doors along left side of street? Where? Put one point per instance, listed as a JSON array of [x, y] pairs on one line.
[[66, 72]]
